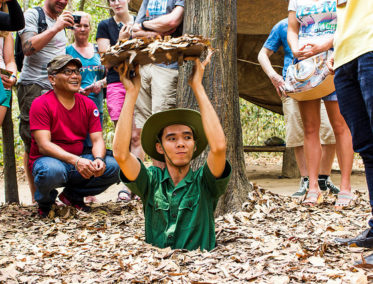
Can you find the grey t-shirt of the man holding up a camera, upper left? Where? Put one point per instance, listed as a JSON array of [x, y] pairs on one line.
[[34, 70]]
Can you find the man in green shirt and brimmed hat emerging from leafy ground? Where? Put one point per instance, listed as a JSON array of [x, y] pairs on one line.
[[178, 203]]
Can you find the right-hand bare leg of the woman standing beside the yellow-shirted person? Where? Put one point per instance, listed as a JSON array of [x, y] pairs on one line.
[[345, 152]]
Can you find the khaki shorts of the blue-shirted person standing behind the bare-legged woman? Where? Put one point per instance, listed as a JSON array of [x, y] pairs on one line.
[[294, 126]]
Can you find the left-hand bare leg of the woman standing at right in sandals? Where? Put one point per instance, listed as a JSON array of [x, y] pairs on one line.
[[310, 113]]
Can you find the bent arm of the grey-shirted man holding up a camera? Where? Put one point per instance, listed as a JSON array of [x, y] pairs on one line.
[[33, 42]]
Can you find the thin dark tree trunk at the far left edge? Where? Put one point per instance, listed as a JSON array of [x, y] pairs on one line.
[[10, 172]]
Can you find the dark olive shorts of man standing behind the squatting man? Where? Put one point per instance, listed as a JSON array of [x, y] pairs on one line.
[[26, 95]]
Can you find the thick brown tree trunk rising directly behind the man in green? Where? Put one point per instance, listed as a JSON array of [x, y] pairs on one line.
[[217, 20]]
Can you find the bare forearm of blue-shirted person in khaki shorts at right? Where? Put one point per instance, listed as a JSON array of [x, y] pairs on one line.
[[276, 79]]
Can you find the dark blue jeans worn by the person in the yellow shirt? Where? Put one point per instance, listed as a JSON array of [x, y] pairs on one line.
[[354, 86]]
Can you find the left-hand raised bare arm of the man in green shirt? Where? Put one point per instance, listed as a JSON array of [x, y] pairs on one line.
[[127, 162]]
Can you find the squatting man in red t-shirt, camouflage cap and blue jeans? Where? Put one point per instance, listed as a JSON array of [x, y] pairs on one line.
[[60, 121]]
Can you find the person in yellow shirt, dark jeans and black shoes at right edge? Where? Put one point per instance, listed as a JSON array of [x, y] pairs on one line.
[[353, 66]]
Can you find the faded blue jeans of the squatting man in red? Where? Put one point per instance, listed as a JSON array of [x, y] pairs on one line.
[[50, 173]]
